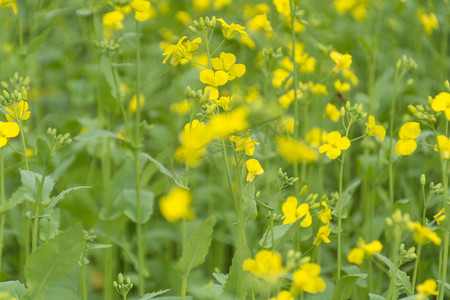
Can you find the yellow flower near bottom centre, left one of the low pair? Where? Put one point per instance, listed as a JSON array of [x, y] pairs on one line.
[[267, 265]]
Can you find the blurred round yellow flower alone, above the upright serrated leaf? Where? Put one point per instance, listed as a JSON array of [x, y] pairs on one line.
[[176, 205]]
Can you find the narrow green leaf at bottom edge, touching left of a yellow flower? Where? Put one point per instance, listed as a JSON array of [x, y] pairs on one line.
[[239, 281]]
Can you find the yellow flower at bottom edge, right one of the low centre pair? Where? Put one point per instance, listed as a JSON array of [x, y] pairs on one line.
[[307, 279]]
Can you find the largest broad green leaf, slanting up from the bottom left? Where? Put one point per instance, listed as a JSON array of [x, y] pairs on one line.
[[53, 260]]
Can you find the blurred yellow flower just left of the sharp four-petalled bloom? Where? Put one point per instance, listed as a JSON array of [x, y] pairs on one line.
[[294, 151]]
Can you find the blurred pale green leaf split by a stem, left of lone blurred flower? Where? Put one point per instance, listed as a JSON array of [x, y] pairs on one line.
[[146, 207]]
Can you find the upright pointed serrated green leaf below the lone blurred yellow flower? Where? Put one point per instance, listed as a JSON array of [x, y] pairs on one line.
[[194, 253]]
